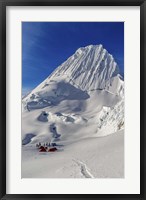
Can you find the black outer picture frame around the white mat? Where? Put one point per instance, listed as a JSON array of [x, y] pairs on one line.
[[3, 125]]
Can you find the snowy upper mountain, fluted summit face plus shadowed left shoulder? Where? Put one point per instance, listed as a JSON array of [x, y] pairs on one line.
[[90, 68]]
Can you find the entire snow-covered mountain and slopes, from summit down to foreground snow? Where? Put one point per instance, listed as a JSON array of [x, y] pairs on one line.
[[81, 101]]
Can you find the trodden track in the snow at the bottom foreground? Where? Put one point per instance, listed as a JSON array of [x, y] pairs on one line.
[[84, 169]]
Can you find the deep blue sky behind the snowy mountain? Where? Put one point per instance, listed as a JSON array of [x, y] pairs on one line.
[[45, 45]]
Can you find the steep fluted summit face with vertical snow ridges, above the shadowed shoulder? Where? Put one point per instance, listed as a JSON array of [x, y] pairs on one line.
[[90, 67]]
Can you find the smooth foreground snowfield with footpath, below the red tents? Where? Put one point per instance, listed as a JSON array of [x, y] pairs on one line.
[[88, 158]]
